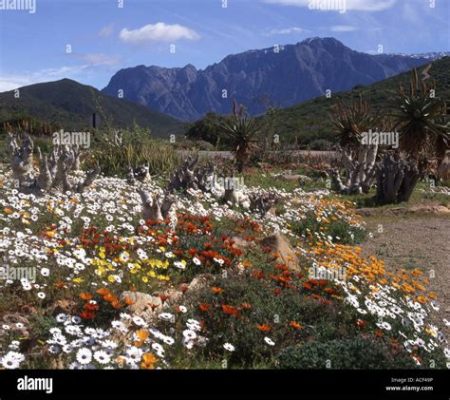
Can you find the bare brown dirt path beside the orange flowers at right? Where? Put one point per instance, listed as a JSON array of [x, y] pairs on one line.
[[415, 240]]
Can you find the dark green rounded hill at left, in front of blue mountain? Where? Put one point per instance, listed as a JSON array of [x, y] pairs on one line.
[[70, 105]]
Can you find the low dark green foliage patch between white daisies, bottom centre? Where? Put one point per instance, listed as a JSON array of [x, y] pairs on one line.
[[260, 304]]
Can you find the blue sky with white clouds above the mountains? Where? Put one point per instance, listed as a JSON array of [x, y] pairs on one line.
[[89, 40]]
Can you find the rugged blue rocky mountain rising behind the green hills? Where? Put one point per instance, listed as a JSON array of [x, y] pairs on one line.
[[280, 77]]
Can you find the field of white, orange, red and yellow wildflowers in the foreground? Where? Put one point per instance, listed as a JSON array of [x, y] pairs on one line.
[[202, 289]]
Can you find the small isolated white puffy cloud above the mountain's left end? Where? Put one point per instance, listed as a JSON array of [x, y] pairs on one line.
[[159, 32]]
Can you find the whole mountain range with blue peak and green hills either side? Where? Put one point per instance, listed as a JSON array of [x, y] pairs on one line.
[[291, 80]]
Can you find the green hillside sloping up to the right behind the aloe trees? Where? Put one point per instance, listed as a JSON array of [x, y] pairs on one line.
[[310, 120]]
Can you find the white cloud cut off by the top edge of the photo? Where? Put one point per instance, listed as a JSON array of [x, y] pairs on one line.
[[333, 5]]
